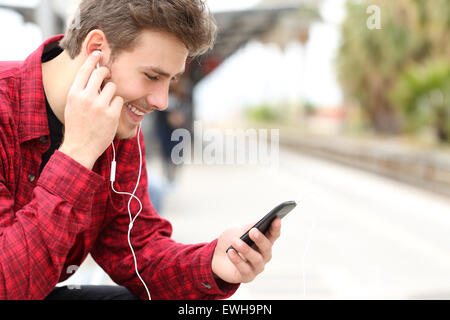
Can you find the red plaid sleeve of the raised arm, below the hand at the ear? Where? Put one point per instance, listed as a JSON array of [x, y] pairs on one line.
[[35, 240]]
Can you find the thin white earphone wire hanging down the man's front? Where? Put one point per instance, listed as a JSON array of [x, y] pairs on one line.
[[132, 195]]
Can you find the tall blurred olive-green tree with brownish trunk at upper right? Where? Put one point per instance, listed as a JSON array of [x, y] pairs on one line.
[[370, 60]]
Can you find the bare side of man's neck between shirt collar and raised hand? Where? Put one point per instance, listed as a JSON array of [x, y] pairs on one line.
[[58, 75]]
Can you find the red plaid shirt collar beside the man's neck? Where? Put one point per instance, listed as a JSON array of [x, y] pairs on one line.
[[33, 115]]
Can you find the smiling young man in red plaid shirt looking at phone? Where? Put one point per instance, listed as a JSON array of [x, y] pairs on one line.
[[59, 116]]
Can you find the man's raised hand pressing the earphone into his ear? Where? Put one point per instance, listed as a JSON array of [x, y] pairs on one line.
[[91, 117]]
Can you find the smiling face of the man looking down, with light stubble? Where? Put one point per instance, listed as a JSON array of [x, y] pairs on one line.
[[143, 77]]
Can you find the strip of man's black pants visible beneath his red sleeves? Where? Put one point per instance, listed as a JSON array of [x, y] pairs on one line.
[[91, 293]]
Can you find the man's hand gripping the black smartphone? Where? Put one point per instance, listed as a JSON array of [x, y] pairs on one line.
[[243, 266]]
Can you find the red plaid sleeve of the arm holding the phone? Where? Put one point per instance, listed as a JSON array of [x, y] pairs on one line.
[[170, 270]]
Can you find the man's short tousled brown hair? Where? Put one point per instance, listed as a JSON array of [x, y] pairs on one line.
[[122, 20]]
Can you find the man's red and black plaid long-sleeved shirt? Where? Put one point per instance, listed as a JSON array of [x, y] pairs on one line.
[[50, 222]]
